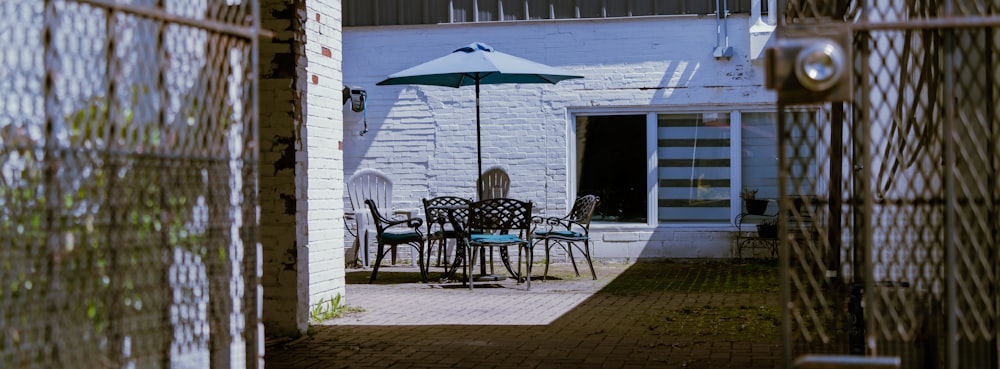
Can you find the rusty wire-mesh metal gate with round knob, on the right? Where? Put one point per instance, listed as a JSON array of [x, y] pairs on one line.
[[890, 167]]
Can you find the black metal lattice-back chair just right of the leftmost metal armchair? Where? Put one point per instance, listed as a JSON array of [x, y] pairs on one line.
[[439, 224]]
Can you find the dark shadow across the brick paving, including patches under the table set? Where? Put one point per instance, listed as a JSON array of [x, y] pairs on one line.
[[649, 315]]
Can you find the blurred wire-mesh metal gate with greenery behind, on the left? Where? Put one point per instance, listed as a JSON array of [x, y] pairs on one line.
[[128, 179]]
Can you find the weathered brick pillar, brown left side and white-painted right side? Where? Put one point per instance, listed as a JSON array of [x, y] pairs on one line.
[[301, 191]]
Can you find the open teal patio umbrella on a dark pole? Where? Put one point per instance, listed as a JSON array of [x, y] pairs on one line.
[[477, 64]]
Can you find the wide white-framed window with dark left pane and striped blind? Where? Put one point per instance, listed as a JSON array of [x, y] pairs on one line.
[[702, 160]]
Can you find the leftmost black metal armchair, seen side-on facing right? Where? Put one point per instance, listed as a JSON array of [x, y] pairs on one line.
[[392, 233]]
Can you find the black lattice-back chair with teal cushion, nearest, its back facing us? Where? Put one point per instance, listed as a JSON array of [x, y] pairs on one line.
[[504, 223]]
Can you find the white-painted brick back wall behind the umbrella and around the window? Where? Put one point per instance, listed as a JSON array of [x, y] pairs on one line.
[[424, 136]]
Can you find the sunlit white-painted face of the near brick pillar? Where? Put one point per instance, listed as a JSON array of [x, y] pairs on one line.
[[321, 210]]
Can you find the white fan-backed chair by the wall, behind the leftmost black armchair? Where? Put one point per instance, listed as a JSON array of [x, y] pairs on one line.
[[376, 186]]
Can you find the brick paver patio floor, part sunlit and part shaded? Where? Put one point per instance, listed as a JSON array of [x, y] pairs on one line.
[[622, 320]]
